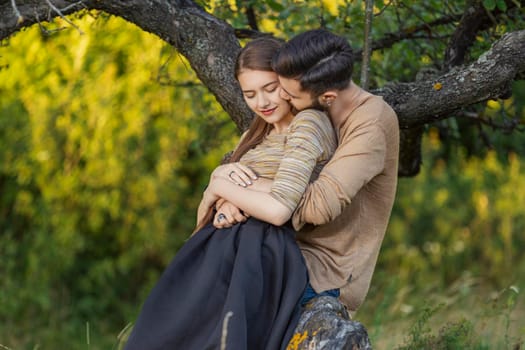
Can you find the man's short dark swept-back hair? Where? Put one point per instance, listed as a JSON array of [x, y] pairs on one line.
[[318, 59]]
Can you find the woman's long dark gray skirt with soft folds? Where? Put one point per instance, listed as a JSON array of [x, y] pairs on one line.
[[232, 289]]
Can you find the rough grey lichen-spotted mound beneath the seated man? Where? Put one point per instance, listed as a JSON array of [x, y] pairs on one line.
[[325, 324]]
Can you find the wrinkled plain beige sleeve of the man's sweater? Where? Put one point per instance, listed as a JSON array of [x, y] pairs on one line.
[[359, 157]]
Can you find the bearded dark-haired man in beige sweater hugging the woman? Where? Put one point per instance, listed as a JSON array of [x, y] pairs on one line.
[[342, 218]]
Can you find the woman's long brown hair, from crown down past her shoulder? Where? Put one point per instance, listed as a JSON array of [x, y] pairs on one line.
[[255, 55]]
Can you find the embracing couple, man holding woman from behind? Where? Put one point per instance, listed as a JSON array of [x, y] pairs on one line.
[[300, 210]]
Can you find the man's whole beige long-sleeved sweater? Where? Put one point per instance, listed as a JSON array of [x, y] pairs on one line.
[[349, 205]]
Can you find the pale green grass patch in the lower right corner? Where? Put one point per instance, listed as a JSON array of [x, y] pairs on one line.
[[468, 315]]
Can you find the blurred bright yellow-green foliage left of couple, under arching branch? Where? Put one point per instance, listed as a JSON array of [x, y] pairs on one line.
[[101, 169]]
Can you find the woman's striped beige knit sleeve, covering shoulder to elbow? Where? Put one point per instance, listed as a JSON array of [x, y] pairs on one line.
[[311, 140]]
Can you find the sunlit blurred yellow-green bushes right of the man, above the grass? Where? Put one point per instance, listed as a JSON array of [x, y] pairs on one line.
[[457, 212]]
